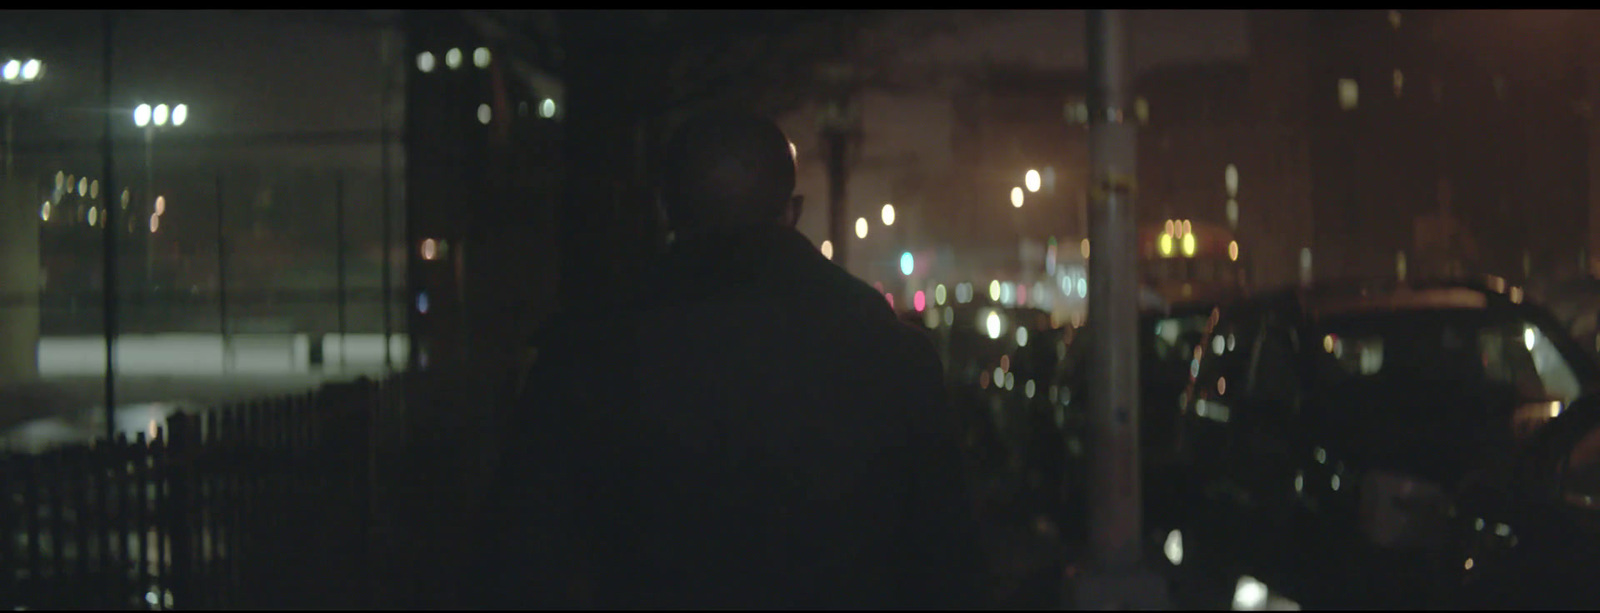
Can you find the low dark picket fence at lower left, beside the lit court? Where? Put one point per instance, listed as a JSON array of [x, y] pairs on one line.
[[265, 505]]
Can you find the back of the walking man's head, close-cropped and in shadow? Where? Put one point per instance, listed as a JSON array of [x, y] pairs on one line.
[[726, 172]]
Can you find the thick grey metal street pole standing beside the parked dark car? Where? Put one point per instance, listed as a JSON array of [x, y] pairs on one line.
[[1118, 577]]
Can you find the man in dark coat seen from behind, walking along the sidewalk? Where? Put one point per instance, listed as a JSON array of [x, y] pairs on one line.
[[759, 431]]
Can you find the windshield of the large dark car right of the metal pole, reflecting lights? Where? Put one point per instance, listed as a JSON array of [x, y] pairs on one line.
[[1458, 347]]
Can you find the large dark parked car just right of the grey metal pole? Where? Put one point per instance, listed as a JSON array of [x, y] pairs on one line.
[[1335, 439]]
